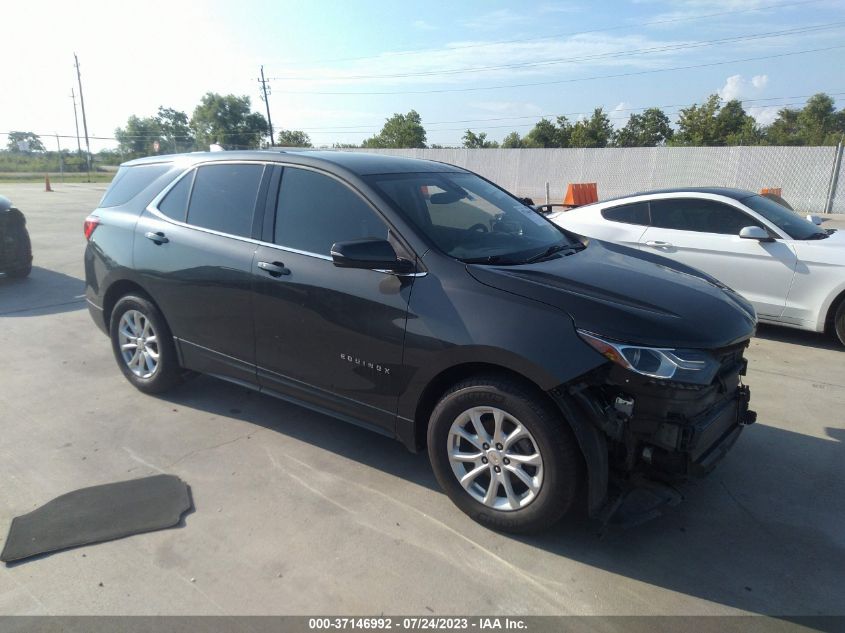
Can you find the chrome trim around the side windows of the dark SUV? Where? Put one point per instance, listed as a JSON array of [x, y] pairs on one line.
[[153, 209]]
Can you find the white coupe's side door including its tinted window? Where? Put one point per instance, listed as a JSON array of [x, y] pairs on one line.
[[704, 233]]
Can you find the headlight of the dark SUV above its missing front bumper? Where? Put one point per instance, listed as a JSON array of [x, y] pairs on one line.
[[684, 365]]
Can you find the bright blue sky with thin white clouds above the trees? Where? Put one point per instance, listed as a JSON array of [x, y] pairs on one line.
[[339, 69]]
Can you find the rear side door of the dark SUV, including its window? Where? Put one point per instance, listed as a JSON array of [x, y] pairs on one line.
[[194, 252]]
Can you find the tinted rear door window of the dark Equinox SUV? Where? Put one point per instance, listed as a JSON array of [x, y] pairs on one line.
[[223, 198]]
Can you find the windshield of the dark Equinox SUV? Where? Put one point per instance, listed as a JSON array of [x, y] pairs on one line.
[[472, 220]]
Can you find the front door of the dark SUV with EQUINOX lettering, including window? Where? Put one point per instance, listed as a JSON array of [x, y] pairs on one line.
[[326, 335]]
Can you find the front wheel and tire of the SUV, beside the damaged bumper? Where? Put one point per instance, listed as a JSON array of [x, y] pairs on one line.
[[504, 455]]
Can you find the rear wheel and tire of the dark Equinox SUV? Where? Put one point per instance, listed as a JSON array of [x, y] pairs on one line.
[[143, 345]]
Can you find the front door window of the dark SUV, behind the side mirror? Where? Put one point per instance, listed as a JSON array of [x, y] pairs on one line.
[[315, 211]]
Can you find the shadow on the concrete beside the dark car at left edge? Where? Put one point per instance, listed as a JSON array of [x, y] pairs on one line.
[[43, 292]]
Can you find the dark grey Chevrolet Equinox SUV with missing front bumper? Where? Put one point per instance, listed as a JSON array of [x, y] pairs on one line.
[[421, 301]]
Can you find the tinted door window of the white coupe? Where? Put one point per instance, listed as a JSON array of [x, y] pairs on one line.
[[700, 215]]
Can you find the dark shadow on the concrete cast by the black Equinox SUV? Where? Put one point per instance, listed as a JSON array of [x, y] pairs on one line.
[[762, 534]]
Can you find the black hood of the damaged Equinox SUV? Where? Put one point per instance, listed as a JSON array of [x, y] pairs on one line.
[[630, 296]]
